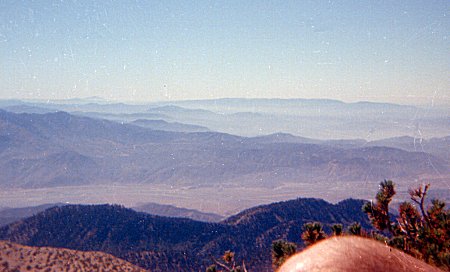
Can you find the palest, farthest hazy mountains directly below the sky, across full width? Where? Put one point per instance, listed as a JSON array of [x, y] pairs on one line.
[[312, 118]]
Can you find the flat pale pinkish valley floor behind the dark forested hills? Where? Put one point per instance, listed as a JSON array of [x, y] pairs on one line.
[[223, 199]]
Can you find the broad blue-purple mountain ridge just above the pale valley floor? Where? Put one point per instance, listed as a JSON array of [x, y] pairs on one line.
[[58, 149]]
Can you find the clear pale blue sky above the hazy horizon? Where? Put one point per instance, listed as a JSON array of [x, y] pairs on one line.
[[390, 51]]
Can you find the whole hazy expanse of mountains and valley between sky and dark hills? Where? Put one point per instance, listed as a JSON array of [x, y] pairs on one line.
[[100, 152]]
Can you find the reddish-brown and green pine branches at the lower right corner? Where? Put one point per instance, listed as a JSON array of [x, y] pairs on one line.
[[421, 232]]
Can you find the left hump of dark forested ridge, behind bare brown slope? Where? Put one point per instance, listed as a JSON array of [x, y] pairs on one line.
[[118, 231]]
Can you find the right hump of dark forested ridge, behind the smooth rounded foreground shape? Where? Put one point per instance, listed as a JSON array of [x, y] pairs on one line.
[[261, 225]]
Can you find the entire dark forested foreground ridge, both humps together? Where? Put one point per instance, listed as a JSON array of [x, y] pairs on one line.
[[175, 244]]
